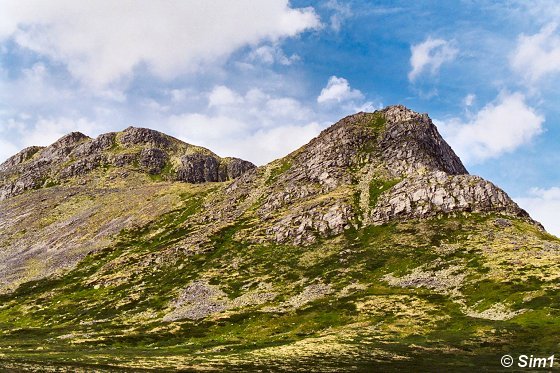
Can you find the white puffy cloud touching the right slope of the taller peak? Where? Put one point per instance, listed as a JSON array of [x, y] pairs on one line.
[[499, 127]]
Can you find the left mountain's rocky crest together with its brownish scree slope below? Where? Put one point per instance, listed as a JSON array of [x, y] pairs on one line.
[[87, 190]]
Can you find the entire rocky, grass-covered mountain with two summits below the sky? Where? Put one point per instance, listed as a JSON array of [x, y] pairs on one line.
[[369, 248]]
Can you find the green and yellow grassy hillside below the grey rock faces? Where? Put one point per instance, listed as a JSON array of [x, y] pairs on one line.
[[446, 292]]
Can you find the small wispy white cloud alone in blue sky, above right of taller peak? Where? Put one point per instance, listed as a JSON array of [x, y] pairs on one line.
[[430, 55]]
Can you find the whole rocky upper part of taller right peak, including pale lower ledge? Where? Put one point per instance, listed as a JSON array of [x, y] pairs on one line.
[[368, 168]]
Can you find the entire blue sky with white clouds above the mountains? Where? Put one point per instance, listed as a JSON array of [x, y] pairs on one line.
[[258, 79]]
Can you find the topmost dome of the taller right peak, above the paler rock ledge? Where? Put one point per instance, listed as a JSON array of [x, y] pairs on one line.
[[396, 139]]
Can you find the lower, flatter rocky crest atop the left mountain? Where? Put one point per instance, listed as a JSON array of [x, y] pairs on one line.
[[77, 158]]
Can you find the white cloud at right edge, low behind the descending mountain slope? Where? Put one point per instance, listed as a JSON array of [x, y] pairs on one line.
[[543, 205]]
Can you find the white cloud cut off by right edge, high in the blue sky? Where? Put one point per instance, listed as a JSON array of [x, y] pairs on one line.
[[537, 55]]
